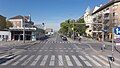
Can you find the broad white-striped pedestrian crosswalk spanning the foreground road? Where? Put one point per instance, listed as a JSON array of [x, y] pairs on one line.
[[59, 60]]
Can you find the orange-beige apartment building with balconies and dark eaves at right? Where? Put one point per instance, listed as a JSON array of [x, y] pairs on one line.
[[106, 17]]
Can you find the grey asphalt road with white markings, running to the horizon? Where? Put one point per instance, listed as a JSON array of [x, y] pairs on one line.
[[56, 53]]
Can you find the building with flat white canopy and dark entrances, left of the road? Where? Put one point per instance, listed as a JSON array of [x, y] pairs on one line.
[[21, 23]]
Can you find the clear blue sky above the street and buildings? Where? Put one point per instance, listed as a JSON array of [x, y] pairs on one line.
[[50, 12]]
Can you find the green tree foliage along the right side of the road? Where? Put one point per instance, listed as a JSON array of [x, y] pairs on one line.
[[67, 26]]
